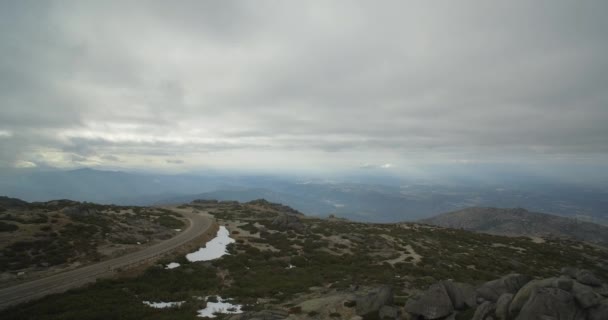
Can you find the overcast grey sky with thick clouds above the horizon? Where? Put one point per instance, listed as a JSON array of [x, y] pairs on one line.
[[302, 85]]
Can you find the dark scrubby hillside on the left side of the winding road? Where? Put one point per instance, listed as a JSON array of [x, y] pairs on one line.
[[40, 238]]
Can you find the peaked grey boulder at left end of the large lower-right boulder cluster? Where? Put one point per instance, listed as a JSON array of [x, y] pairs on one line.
[[434, 303]]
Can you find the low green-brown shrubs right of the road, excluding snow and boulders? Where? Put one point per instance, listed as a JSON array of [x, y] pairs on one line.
[[271, 266]]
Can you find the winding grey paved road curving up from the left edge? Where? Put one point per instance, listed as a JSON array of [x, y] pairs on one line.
[[75, 278]]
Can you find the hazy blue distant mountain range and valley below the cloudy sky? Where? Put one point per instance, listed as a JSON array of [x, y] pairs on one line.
[[366, 199]]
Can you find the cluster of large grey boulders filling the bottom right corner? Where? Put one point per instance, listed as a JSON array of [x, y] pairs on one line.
[[517, 297]]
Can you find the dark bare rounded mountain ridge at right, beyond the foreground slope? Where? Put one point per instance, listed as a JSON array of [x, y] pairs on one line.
[[520, 222]]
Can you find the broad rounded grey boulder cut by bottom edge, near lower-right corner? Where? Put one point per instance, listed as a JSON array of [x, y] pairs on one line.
[[551, 303]]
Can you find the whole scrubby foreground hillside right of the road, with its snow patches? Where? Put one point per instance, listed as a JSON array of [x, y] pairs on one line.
[[284, 265]]
